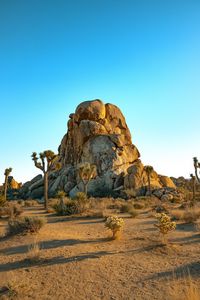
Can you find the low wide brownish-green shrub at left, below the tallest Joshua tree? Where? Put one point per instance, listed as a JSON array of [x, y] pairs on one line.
[[25, 225]]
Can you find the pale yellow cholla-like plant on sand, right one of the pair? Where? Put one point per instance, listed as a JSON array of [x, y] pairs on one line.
[[165, 225]]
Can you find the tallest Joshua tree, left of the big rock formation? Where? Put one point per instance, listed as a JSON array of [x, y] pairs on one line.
[[46, 162]]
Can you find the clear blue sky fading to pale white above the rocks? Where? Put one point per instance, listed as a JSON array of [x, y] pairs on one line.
[[143, 56]]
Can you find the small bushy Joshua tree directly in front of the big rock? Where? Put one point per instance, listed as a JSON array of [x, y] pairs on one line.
[[86, 172]]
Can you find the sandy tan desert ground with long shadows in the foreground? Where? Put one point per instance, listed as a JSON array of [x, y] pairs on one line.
[[79, 261]]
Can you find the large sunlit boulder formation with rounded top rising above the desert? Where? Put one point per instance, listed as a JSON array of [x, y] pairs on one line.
[[97, 133]]
